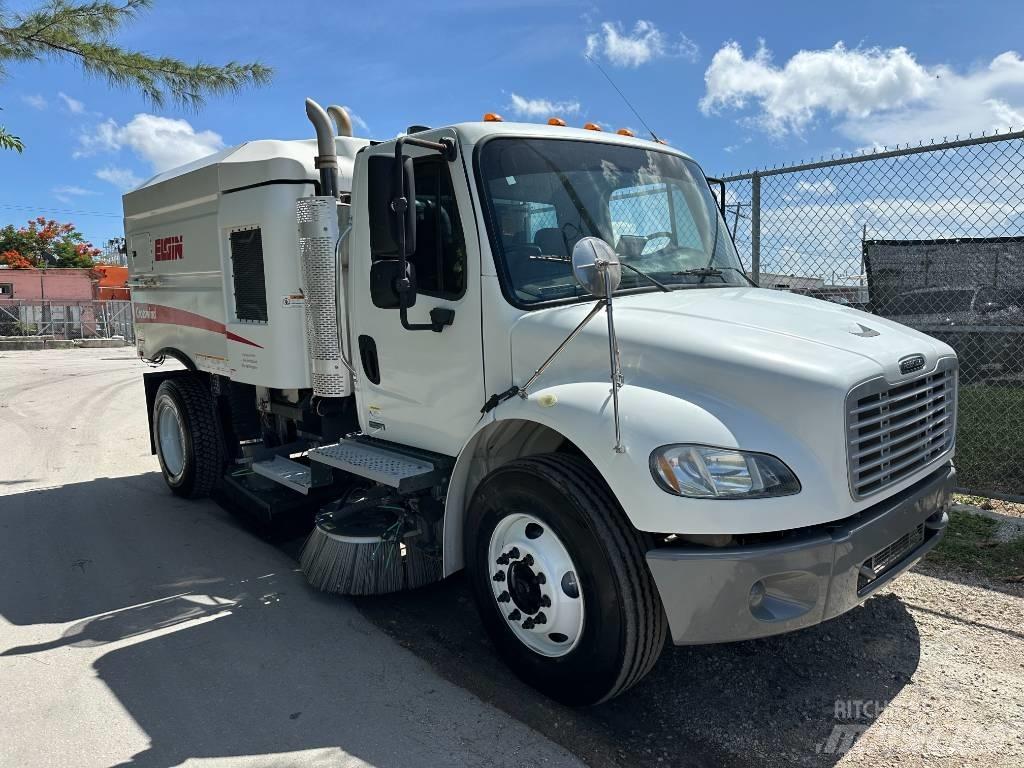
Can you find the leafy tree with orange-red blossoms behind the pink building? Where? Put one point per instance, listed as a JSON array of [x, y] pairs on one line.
[[46, 243]]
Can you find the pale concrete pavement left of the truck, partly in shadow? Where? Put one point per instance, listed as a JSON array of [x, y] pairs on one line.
[[138, 629]]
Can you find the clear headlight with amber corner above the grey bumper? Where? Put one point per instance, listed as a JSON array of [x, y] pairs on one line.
[[705, 473]]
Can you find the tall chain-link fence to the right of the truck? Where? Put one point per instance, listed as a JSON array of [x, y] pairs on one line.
[[929, 236]]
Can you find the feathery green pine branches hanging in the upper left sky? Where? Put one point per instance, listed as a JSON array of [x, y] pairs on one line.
[[82, 32]]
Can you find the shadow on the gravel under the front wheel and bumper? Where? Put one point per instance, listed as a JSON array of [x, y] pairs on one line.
[[765, 702]]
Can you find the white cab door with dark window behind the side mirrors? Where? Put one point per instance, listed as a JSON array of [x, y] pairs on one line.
[[420, 389]]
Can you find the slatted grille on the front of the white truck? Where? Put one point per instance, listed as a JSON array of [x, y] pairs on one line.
[[893, 431]]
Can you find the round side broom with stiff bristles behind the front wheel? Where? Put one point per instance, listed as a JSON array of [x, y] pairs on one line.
[[365, 566]]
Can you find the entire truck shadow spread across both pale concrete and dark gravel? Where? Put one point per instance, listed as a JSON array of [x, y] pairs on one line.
[[216, 647]]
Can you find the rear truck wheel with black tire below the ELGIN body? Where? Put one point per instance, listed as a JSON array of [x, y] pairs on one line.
[[188, 437]]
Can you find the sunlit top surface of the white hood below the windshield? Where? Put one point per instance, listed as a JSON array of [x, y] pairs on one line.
[[701, 337]]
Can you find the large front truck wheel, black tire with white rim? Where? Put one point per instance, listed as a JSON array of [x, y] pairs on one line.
[[561, 580]]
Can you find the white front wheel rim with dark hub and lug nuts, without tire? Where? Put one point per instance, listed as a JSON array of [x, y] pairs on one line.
[[536, 585]]
